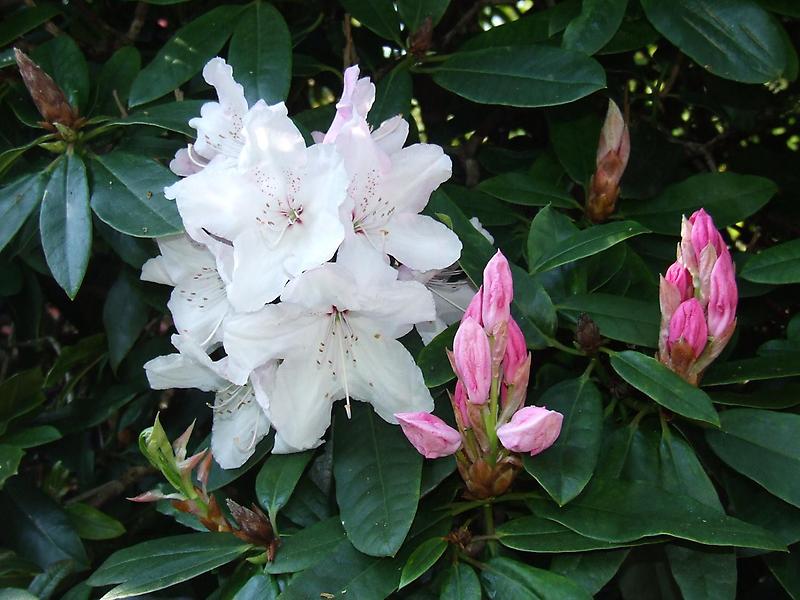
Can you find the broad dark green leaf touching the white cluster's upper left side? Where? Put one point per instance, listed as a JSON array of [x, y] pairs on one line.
[[128, 195]]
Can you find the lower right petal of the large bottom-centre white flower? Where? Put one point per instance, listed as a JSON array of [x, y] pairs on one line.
[[386, 376]]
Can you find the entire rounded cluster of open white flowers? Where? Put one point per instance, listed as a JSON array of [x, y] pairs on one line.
[[265, 216]]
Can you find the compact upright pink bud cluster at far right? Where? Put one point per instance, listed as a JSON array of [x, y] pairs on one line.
[[698, 297]]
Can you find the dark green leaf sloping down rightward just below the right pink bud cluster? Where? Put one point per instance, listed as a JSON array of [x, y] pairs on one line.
[[665, 387]]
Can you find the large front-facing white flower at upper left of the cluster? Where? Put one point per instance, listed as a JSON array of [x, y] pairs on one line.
[[277, 205]]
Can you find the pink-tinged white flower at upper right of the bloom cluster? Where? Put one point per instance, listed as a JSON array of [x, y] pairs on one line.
[[390, 185]]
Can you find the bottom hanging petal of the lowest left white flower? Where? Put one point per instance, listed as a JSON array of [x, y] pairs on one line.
[[236, 431]]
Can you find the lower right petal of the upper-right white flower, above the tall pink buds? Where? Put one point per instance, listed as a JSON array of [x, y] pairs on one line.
[[421, 243]]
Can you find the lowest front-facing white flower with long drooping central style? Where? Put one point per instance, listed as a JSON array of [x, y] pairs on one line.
[[336, 330]]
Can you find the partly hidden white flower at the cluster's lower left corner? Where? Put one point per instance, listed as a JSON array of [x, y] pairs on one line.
[[240, 421]]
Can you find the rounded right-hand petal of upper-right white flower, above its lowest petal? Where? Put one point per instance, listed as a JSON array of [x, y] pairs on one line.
[[416, 171]]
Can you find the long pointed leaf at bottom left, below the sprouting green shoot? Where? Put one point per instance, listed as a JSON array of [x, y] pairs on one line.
[[160, 563]]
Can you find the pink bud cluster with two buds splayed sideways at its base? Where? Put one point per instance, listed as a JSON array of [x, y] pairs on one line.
[[492, 363]]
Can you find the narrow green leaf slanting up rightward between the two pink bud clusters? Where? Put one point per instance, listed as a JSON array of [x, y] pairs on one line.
[[587, 242]]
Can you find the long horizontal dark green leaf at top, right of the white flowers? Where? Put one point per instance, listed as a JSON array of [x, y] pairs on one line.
[[528, 76]]
